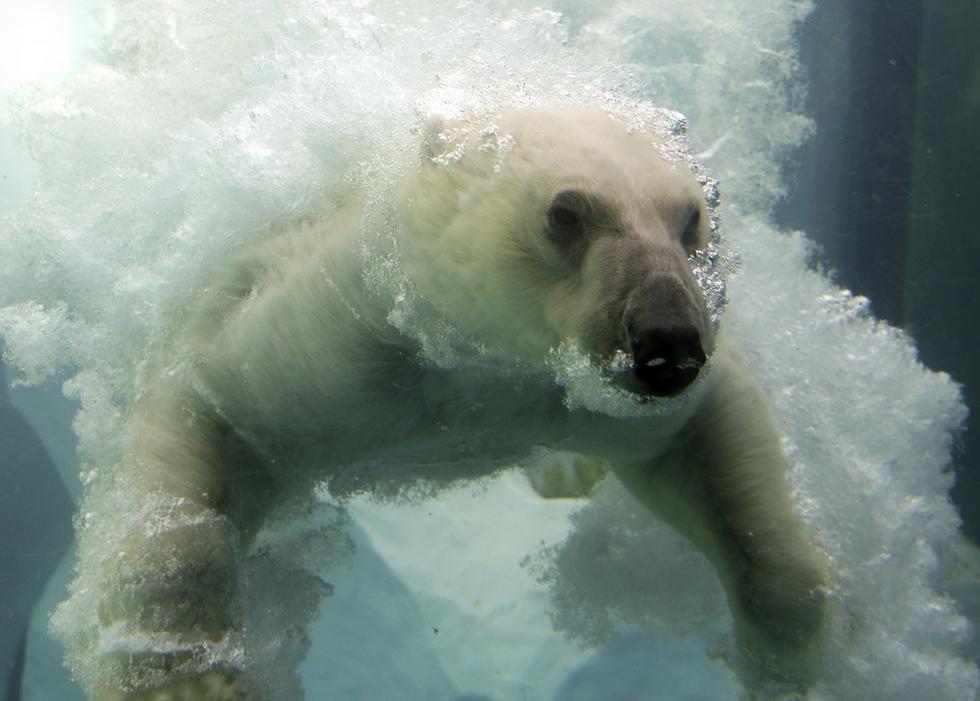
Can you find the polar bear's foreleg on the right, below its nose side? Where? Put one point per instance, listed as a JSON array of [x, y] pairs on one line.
[[723, 485]]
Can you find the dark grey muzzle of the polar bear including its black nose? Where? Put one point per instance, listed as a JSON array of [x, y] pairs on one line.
[[664, 335]]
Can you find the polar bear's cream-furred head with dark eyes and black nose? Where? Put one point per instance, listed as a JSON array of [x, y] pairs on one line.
[[558, 224]]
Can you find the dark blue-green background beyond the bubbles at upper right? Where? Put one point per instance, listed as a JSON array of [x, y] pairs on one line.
[[889, 185]]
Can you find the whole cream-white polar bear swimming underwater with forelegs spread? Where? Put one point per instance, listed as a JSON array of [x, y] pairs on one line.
[[288, 366]]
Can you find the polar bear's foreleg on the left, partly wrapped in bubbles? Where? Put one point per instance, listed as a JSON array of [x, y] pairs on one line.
[[173, 583]]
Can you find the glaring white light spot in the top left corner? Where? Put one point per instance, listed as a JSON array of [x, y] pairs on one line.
[[34, 42]]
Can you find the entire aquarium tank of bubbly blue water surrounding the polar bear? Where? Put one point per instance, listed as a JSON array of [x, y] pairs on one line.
[[146, 143]]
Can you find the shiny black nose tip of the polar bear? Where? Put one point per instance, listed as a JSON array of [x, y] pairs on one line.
[[666, 359]]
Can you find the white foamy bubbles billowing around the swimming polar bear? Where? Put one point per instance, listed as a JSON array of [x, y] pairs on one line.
[[203, 126]]
